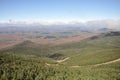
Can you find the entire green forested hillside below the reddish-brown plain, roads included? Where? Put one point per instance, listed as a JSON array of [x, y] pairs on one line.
[[94, 58]]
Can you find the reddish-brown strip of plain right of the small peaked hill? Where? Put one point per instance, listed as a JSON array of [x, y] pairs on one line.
[[63, 40]]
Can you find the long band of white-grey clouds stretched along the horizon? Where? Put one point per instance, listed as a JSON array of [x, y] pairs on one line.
[[112, 24]]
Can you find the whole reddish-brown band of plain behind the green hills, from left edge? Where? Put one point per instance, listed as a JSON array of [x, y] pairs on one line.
[[11, 40]]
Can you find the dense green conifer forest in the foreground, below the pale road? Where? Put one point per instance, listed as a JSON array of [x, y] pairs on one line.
[[13, 67]]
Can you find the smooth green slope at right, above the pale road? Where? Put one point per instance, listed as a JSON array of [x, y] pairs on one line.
[[93, 51]]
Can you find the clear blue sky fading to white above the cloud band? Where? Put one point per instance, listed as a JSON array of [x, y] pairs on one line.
[[58, 10]]
